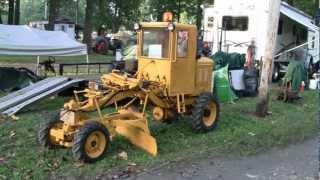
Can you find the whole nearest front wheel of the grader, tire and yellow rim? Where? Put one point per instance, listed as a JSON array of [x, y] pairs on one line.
[[91, 142]]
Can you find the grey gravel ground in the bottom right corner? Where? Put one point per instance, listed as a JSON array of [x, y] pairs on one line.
[[296, 162]]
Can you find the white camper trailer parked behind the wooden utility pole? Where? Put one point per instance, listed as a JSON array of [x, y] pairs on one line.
[[231, 26]]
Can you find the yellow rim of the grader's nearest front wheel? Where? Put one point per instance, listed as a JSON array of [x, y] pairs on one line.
[[95, 144]]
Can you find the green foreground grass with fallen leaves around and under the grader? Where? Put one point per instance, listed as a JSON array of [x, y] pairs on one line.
[[238, 133]]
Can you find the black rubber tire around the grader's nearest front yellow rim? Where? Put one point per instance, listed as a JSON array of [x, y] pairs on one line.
[[80, 140]]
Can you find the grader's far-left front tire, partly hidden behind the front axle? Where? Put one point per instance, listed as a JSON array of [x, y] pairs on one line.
[[43, 137]]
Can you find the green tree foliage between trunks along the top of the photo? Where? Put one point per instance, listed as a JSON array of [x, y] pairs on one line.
[[112, 14]]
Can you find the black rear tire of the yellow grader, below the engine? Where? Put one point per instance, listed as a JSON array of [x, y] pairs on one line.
[[200, 110]]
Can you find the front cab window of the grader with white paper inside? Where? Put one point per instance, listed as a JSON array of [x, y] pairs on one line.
[[155, 43]]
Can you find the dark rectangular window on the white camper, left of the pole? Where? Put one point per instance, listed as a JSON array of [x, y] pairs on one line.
[[231, 23]]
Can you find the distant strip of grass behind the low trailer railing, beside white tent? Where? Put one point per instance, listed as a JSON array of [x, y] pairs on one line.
[[71, 59]]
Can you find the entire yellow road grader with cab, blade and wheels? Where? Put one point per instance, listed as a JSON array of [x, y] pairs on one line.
[[170, 79]]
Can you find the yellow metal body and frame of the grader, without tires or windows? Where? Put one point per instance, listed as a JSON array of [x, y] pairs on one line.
[[172, 83]]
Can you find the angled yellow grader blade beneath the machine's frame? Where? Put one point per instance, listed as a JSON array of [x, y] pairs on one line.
[[137, 136]]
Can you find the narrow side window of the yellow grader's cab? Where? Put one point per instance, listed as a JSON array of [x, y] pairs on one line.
[[182, 44]]
